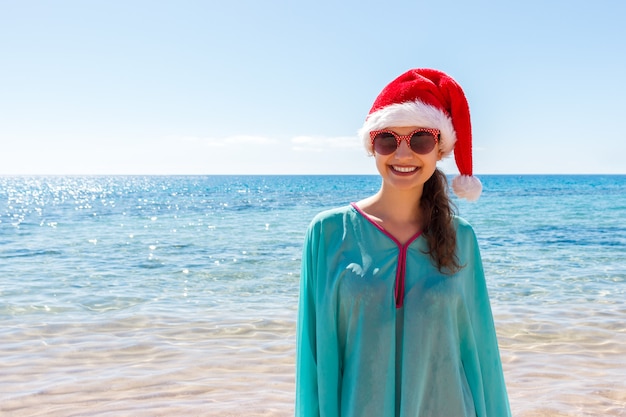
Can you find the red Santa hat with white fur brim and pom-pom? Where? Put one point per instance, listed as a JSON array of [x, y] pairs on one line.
[[429, 98]]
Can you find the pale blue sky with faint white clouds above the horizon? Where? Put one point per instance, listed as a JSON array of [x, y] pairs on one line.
[[281, 87]]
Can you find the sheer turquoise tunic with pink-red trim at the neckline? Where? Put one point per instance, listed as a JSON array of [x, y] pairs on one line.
[[382, 333]]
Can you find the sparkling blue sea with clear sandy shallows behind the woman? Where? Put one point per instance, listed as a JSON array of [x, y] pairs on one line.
[[177, 295]]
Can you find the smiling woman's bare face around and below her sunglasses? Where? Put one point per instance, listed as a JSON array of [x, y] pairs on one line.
[[405, 169]]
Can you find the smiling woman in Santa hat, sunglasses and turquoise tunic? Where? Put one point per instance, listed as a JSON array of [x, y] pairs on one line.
[[394, 315]]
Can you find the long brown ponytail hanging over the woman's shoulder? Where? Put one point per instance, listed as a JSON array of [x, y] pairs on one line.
[[438, 211]]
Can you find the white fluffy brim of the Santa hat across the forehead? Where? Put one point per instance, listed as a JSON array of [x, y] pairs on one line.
[[410, 113]]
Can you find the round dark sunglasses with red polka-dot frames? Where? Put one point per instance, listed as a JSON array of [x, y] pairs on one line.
[[421, 141]]
